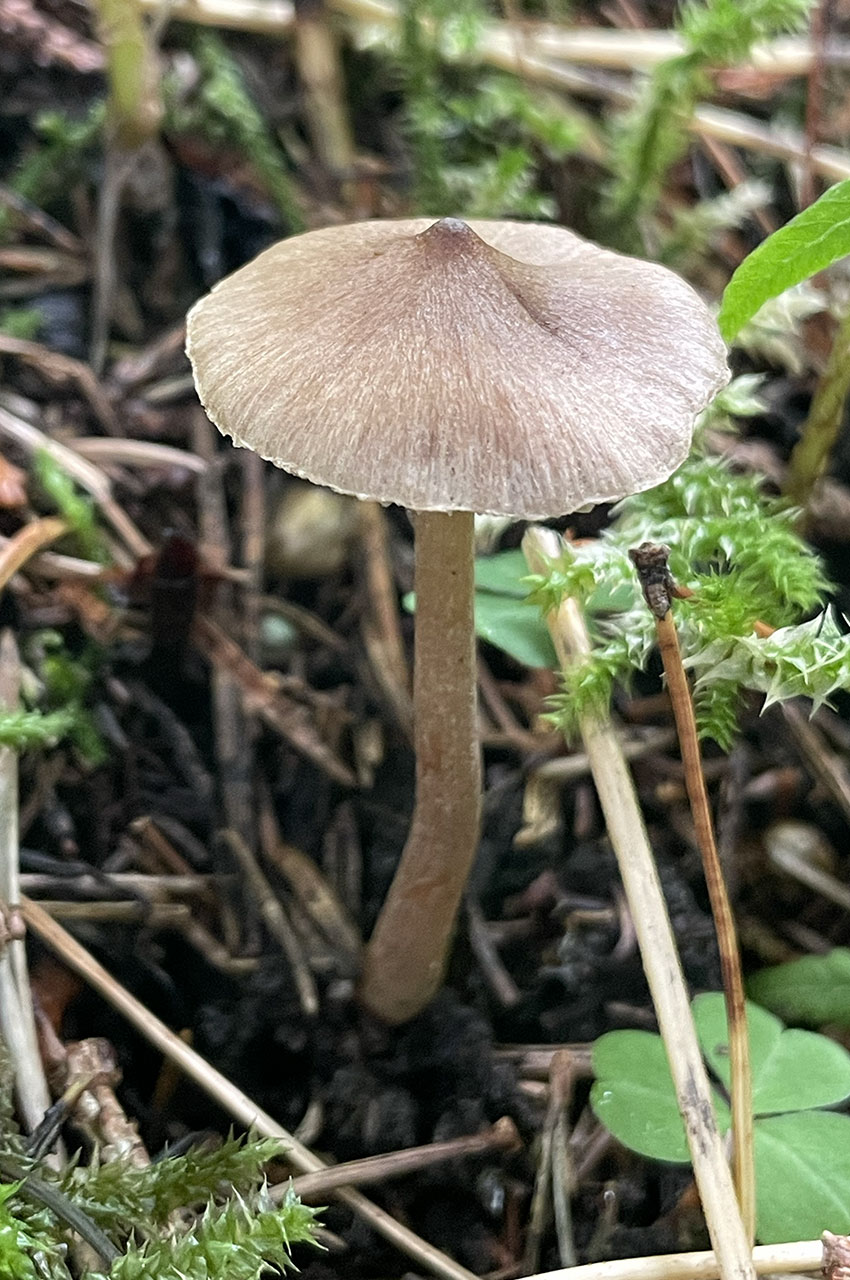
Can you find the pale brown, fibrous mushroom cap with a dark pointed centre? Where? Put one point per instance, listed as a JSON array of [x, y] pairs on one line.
[[504, 368]]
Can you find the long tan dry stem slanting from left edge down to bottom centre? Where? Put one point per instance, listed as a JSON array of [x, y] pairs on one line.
[[226, 1094]]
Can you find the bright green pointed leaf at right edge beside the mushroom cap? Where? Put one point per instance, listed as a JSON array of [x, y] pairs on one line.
[[811, 243]]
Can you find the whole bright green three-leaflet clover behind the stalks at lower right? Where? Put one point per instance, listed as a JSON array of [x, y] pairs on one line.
[[802, 1151]]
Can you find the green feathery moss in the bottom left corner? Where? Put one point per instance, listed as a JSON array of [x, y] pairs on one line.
[[203, 1215]]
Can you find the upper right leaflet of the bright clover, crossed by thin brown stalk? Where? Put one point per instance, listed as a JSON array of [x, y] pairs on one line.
[[793, 1071]]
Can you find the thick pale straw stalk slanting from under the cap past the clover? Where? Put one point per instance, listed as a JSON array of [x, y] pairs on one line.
[[659, 953]]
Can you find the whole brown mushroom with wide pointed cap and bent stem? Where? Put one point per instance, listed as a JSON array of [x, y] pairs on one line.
[[451, 368]]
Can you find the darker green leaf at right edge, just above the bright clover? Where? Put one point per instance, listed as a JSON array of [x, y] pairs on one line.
[[815, 990]]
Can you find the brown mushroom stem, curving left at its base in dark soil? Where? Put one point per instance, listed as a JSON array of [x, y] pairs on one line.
[[408, 953]]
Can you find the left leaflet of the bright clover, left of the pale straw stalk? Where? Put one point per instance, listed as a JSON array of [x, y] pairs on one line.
[[634, 1096]]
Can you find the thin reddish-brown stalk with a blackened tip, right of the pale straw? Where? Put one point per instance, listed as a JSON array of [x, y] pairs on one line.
[[660, 591]]
